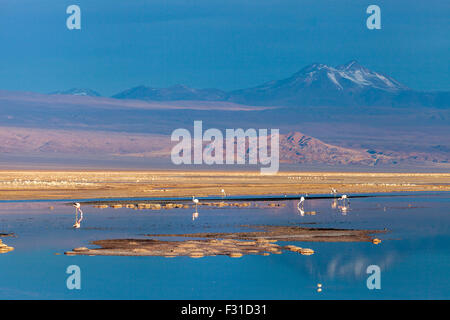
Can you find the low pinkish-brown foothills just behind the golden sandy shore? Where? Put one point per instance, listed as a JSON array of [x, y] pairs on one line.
[[295, 148]]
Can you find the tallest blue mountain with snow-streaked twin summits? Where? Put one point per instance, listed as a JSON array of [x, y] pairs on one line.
[[319, 84]]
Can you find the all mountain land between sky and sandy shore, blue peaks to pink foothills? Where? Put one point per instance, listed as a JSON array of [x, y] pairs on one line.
[[352, 116]]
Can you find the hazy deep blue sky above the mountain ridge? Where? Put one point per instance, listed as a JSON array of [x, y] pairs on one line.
[[227, 44]]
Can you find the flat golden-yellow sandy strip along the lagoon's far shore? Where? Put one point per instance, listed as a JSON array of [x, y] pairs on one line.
[[40, 184]]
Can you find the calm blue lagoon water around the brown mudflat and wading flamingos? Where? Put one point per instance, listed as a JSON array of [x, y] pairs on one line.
[[414, 255]]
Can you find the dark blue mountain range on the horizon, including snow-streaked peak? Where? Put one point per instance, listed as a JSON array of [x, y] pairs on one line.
[[350, 84]]
